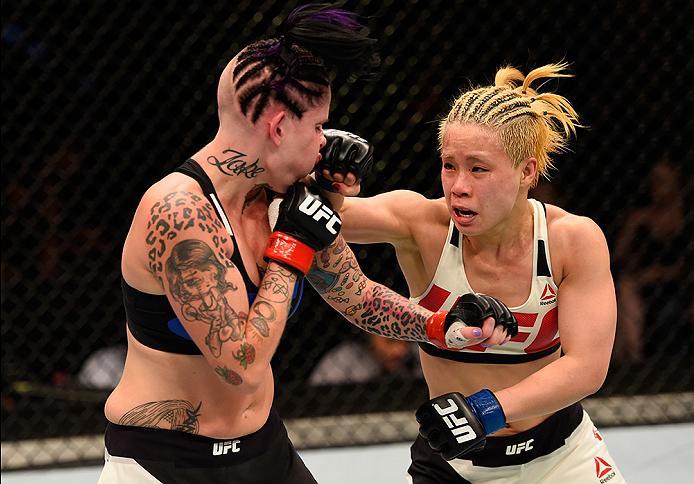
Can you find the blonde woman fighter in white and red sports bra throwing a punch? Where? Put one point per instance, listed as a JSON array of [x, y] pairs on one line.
[[521, 420]]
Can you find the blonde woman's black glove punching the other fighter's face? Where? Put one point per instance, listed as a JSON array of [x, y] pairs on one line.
[[343, 153]]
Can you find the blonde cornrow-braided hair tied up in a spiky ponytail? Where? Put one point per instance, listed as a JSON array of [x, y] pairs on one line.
[[527, 123]]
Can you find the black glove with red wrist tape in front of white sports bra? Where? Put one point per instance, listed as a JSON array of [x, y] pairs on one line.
[[471, 309]]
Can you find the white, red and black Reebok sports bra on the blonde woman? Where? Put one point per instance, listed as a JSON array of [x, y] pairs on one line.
[[538, 331]]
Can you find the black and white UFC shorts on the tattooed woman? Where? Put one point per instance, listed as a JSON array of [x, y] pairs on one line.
[[175, 457]]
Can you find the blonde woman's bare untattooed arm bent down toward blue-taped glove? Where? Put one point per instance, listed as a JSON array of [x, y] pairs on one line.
[[587, 321]]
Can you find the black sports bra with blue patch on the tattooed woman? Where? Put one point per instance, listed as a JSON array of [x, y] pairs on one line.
[[150, 317]]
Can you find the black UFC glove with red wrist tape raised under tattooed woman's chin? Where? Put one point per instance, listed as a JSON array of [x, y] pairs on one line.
[[305, 224]]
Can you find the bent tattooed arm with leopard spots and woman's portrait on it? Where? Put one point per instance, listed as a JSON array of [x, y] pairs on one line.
[[188, 251]]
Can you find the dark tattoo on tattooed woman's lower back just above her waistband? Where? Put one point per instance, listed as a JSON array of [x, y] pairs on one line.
[[165, 414]]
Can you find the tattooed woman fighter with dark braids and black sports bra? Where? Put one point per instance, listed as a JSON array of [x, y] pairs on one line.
[[208, 286]]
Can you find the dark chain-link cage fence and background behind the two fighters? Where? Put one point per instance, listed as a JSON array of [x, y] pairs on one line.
[[100, 99]]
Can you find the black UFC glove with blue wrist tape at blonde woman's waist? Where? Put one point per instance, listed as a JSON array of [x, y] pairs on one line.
[[454, 425]]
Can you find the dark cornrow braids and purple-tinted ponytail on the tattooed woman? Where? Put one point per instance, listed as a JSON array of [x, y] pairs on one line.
[[316, 43]]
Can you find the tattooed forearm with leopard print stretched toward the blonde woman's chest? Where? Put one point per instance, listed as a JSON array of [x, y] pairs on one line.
[[337, 277]]
